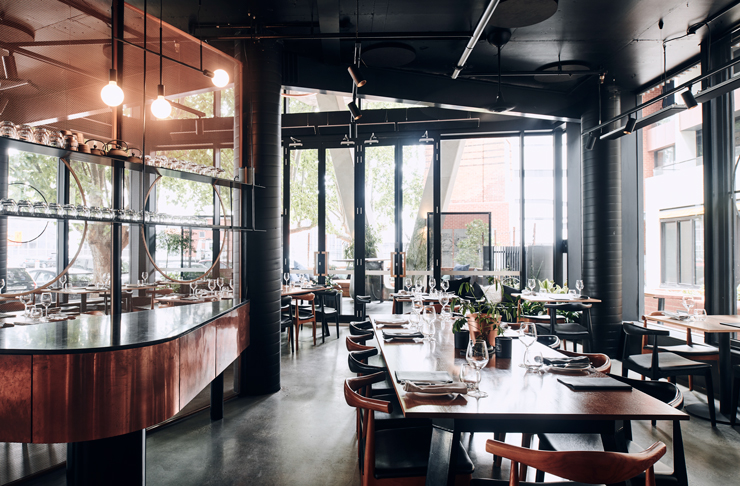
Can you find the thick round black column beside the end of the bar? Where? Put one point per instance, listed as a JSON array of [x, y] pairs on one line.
[[262, 77]]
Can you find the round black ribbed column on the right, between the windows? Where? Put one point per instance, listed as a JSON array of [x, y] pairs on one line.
[[602, 227]]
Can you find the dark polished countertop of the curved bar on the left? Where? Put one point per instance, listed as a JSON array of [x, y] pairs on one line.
[[94, 333]]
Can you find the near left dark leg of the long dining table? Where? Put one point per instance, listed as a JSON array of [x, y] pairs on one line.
[[443, 453]]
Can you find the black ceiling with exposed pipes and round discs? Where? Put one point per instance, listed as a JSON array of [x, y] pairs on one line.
[[619, 36]]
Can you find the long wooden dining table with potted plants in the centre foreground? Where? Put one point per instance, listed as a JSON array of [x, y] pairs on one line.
[[518, 401]]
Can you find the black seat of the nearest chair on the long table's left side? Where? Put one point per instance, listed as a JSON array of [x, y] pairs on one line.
[[404, 452]]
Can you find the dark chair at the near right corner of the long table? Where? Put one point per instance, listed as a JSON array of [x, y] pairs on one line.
[[667, 393]]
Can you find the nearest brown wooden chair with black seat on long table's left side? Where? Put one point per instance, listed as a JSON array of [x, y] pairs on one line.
[[393, 456]]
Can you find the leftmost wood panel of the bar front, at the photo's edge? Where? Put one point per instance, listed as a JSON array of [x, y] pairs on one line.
[[15, 398]]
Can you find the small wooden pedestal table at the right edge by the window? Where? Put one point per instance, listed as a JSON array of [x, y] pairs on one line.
[[723, 326]]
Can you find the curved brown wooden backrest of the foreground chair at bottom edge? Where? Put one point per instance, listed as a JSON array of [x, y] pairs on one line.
[[589, 467]]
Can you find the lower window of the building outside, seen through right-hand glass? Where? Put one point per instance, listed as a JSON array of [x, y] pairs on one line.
[[683, 253]]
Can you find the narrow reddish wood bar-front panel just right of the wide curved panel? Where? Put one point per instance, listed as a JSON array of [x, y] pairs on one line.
[[197, 361]]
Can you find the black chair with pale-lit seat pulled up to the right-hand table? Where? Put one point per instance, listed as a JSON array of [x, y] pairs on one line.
[[664, 365]]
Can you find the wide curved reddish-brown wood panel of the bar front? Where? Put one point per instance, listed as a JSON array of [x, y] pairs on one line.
[[87, 396]]
